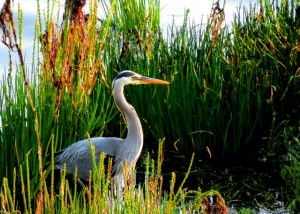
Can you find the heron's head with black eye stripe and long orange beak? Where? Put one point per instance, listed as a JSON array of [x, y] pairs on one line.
[[129, 77]]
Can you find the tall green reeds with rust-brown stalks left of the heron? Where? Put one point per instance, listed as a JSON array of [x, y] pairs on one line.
[[69, 92]]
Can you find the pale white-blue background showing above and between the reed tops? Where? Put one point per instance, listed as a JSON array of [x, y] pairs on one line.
[[170, 10]]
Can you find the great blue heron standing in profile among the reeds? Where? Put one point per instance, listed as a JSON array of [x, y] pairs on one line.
[[123, 151]]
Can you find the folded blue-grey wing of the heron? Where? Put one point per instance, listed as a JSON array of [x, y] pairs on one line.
[[79, 155]]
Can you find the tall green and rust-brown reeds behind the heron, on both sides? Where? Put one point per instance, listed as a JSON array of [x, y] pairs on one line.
[[229, 86]]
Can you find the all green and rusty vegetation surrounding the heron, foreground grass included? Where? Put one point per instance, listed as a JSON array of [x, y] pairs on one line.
[[234, 97]]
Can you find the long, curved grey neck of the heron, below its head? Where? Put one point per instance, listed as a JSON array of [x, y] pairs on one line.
[[135, 131]]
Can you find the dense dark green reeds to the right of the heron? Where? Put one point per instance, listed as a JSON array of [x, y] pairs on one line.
[[228, 84]]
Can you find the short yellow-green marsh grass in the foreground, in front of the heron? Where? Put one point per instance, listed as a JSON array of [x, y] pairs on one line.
[[100, 195]]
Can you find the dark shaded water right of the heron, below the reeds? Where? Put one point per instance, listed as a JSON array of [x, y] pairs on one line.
[[247, 182]]
